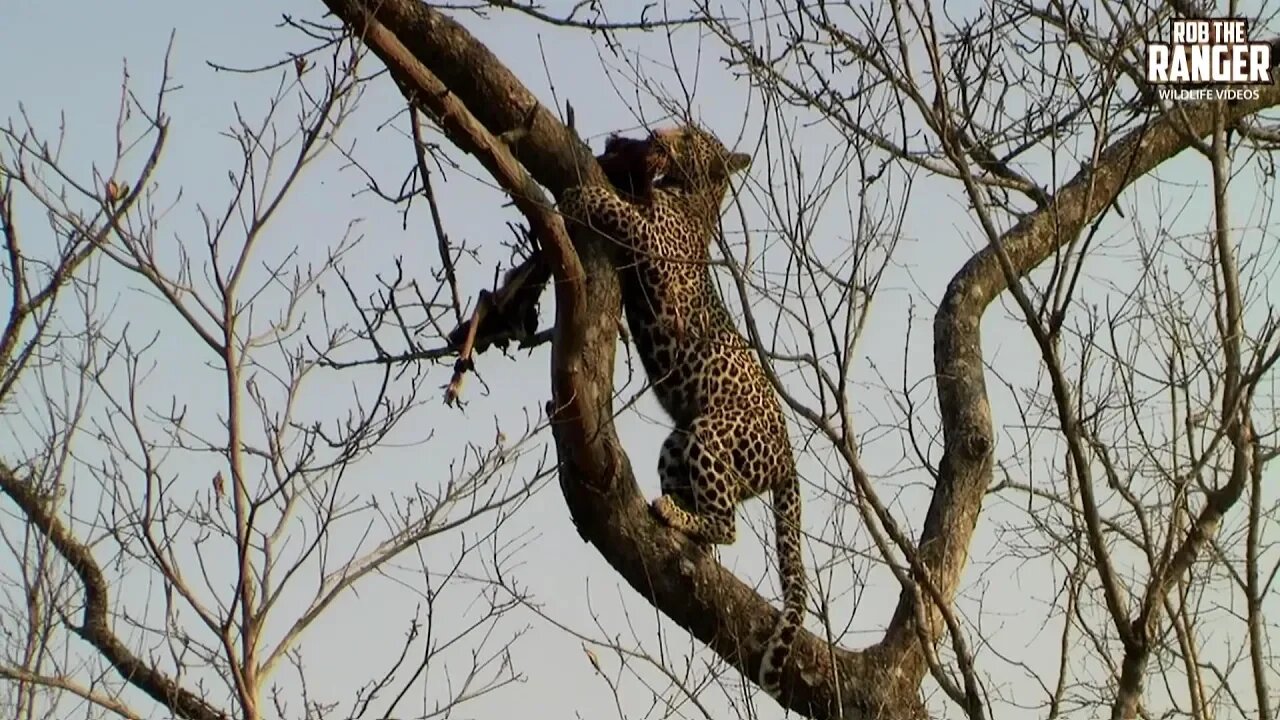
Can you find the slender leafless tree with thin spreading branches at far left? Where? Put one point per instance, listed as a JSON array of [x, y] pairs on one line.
[[179, 520]]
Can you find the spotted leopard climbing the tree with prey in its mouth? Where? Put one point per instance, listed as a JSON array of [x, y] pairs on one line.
[[729, 443]]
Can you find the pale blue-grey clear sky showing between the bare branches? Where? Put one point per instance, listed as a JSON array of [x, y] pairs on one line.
[[68, 60]]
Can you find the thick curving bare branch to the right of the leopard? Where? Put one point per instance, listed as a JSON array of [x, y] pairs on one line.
[[966, 470]]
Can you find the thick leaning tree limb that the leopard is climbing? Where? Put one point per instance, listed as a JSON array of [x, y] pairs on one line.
[[597, 479]]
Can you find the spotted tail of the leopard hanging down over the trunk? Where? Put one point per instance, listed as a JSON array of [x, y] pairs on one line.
[[787, 514]]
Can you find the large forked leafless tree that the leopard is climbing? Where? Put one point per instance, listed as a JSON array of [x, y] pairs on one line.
[[1135, 518]]
